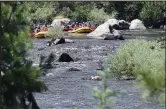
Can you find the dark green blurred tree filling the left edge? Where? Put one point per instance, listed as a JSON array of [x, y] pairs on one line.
[[19, 79]]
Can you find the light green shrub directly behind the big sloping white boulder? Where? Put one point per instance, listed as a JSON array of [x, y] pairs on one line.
[[99, 16]]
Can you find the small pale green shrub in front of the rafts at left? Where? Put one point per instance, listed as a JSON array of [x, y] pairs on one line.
[[55, 32]]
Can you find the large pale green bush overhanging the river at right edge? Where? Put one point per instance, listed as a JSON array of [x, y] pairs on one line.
[[142, 59]]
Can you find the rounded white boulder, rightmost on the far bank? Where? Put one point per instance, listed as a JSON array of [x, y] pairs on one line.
[[137, 24]]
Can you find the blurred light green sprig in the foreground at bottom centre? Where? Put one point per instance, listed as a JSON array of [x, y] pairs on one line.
[[104, 96]]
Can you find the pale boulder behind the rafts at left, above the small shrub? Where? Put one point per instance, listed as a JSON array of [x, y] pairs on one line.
[[60, 22]]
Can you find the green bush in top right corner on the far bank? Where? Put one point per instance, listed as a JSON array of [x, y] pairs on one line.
[[152, 12]]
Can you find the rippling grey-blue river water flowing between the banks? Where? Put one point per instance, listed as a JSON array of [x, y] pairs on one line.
[[66, 89]]
